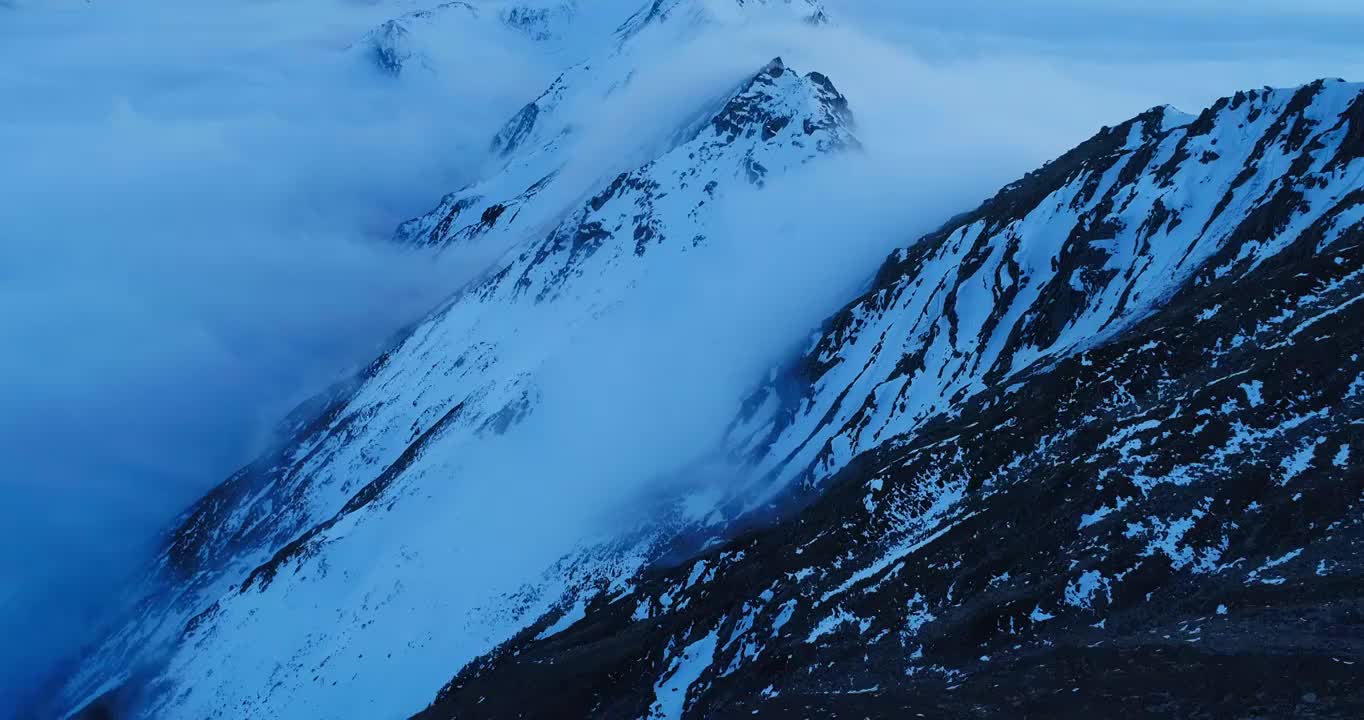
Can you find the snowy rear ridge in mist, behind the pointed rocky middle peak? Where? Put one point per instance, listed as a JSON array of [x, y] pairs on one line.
[[539, 155]]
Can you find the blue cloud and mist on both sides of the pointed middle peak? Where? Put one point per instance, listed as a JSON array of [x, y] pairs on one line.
[[196, 204]]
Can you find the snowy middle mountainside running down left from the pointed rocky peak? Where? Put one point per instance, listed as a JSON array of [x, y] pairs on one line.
[[313, 582]]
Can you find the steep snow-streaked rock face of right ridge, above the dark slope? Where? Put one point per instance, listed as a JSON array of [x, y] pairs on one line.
[[1065, 260]]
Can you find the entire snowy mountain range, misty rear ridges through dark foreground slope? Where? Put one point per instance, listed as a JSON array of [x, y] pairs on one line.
[[1099, 433]]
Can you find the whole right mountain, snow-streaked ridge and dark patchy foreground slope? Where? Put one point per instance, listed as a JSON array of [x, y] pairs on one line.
[[1088, 442]]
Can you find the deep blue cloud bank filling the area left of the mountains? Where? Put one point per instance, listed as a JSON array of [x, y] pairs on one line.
[[196, 204]]
